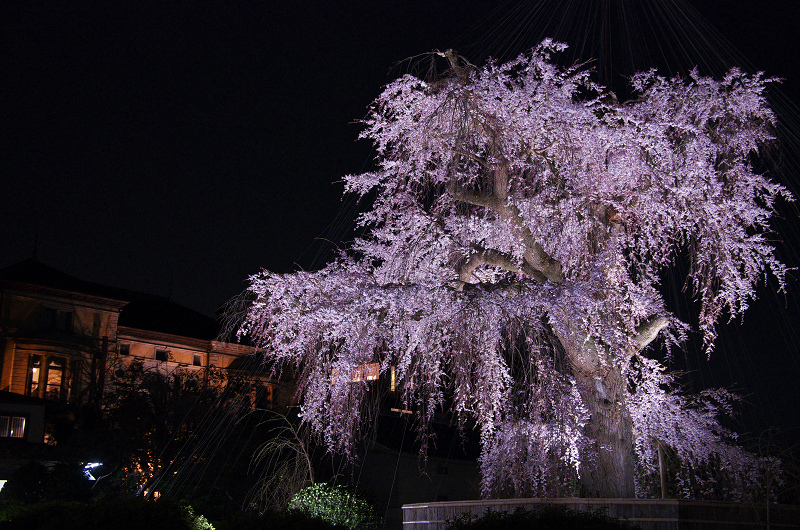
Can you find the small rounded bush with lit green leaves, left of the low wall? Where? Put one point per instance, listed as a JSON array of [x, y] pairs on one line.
[[338, 505]]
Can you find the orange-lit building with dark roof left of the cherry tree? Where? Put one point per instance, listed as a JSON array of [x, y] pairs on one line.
[[62, 340]]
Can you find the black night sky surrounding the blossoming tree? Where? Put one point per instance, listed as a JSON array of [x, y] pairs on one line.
[[177, 147]]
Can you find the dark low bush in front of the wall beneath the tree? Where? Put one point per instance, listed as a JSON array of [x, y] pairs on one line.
[[544, 518]]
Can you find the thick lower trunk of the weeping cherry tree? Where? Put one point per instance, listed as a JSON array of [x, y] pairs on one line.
[[611, 475]]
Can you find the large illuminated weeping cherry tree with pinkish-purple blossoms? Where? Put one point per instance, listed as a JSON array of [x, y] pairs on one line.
[[510, 272]]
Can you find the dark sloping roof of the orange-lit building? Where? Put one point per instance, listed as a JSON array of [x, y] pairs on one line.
[[143, 311]]
